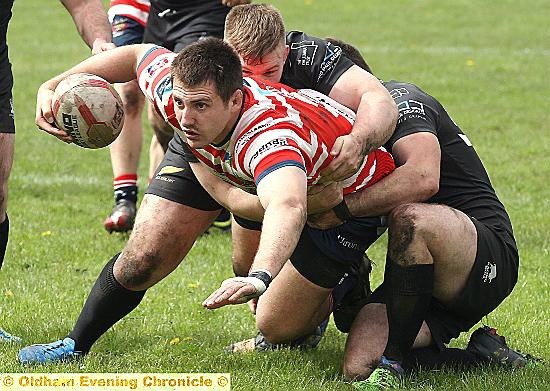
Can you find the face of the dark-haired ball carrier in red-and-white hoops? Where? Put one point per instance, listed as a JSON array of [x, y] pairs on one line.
[[202, 114]]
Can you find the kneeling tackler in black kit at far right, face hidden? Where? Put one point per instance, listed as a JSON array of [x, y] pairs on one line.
[[452, 256]]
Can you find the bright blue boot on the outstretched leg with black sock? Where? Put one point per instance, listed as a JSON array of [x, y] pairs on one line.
[[62, 350]]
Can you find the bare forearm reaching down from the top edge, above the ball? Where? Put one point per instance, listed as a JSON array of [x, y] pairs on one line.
[[90, 19]]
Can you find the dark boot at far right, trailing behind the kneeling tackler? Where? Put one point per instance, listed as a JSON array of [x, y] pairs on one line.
[[491, 347]]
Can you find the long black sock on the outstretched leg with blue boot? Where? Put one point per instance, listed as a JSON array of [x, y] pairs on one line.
[[107, 303]]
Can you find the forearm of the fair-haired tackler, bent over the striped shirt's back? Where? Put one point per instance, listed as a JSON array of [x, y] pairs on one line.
[[376, 119]]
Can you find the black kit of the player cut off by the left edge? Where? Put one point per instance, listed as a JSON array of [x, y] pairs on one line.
[[7, 124]]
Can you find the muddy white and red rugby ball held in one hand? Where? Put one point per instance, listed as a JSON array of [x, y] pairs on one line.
[[89, 109]]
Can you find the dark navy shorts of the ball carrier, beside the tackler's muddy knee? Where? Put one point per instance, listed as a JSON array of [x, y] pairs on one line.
[[324, 256]]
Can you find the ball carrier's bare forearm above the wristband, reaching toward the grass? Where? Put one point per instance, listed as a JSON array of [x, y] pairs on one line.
[[282, 227]]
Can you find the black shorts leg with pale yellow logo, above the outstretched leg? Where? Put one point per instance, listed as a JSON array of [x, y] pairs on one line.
[[174, 180]]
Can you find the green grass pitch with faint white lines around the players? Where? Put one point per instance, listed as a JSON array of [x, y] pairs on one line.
[[487, 62]]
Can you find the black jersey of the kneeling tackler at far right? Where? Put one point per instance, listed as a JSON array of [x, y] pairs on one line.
[[464, 183]]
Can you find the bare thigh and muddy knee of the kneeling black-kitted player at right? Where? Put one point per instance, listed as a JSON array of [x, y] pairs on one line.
[[445, 234]]
